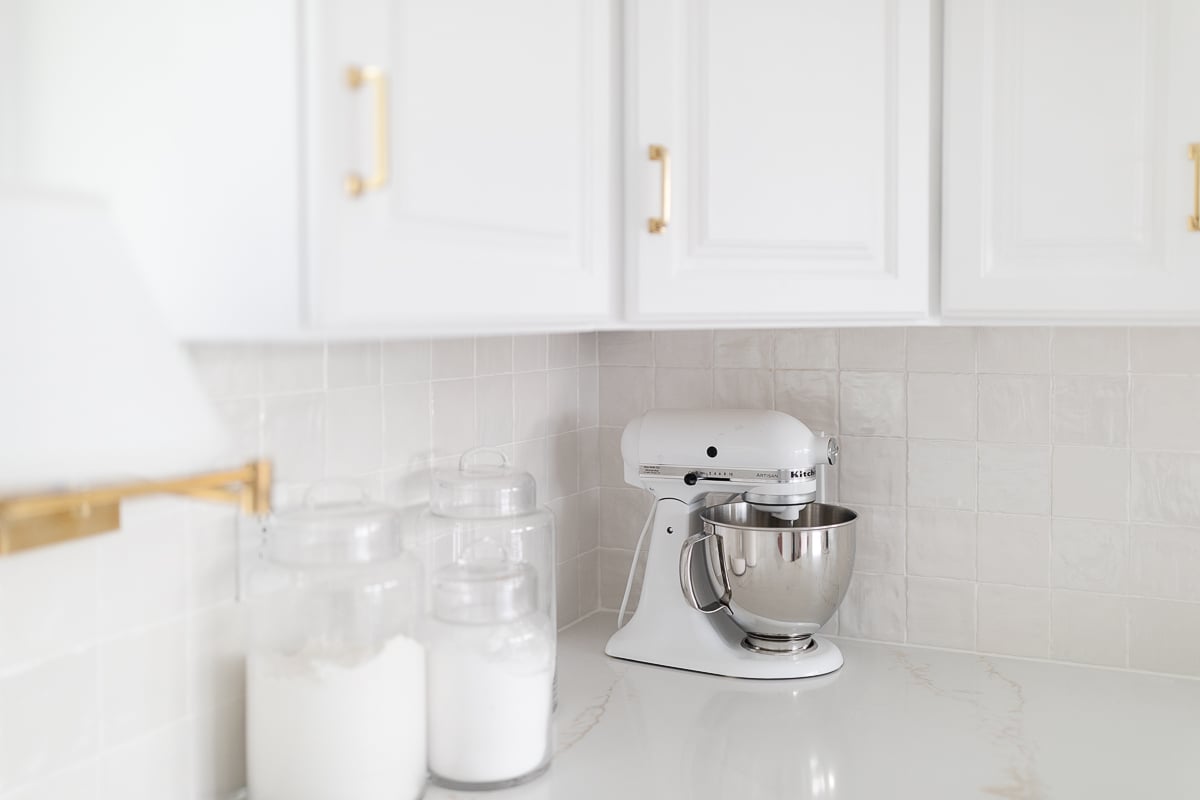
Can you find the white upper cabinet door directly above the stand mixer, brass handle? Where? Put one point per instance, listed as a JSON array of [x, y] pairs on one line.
[[799, 159]]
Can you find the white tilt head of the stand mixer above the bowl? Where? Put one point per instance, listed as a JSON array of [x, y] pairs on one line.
[[769, 456]]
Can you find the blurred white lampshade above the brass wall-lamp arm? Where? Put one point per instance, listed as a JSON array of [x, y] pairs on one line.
[[93, 387]]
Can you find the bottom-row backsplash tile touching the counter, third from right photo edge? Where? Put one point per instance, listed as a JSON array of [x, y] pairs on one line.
[[1013, 621]]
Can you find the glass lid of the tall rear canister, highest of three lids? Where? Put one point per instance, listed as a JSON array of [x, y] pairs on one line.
[[484, 485]]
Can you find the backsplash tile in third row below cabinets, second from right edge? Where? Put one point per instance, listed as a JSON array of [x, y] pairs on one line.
[[1091, 483]]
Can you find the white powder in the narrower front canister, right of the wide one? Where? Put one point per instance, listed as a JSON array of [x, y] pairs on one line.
[[490, 700]]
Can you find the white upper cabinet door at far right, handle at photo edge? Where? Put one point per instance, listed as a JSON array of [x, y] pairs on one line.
[[1069, 182]]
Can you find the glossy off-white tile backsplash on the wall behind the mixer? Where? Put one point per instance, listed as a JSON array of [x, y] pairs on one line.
[[1022, 491]]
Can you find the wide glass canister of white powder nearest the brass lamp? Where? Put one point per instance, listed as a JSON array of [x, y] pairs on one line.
[[335, 676]]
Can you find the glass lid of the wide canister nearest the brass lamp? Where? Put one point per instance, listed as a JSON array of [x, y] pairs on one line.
[[328, 531]]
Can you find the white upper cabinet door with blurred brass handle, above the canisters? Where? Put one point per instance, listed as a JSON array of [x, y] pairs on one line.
[[483, 135]]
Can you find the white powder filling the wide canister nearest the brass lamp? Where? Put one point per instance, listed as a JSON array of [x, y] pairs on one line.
[[338, 729]]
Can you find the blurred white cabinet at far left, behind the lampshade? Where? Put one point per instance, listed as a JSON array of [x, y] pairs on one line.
[[183, 117]]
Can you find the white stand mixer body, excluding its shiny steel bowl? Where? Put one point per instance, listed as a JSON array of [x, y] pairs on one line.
[[682, 456]]
